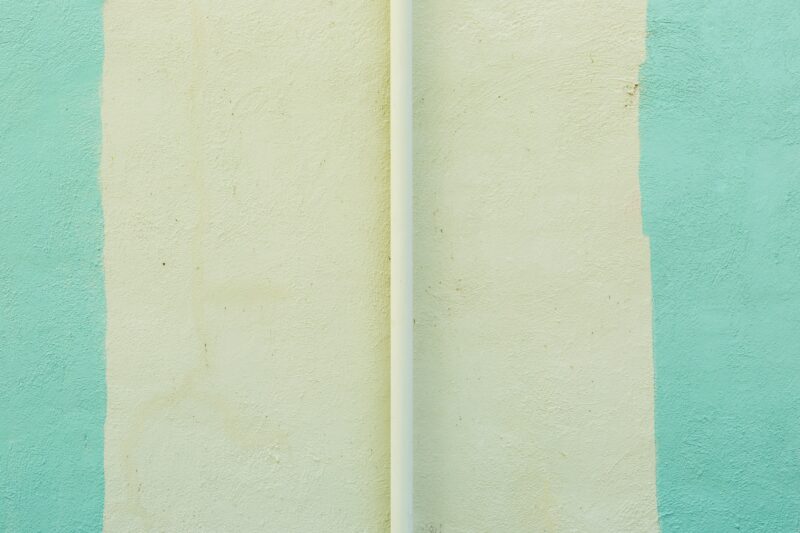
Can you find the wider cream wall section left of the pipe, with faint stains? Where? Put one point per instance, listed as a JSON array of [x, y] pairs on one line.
[[245, 193]]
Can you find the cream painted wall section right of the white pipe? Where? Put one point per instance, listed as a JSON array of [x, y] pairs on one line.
[[534, 407]]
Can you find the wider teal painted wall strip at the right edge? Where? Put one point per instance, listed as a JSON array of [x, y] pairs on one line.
[[720, 175]]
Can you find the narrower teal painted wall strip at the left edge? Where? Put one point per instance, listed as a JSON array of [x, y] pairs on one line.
[[52, 310]]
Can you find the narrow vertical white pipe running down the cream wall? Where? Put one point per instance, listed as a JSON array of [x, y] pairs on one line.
[[401, 289]]
